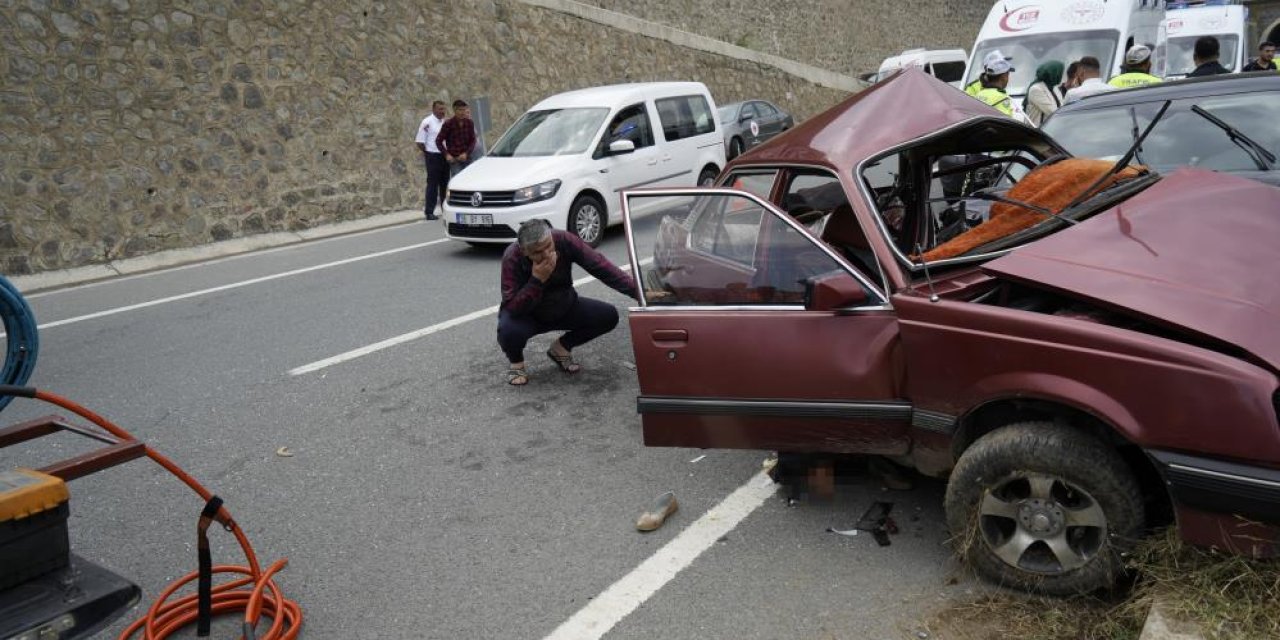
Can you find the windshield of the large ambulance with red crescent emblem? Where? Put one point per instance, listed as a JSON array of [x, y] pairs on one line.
[[1034, 51]]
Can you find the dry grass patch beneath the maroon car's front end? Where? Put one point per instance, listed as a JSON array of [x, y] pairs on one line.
[[1229, 597]]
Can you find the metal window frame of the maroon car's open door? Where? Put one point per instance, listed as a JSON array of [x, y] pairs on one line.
[[877, 299]]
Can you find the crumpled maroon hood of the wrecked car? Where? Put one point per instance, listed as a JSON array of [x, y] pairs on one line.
[[1197, 252]]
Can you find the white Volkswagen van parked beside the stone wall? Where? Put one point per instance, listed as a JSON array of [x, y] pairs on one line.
[[568, 159]]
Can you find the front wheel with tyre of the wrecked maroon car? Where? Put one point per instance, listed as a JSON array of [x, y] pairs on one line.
[[1044, 508]]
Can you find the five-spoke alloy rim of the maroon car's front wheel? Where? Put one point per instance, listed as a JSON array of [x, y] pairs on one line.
[[1041, 524]]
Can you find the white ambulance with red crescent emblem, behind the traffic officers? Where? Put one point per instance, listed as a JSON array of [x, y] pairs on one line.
[[1034, 33]]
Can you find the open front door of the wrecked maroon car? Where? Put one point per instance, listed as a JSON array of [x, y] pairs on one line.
[[753, 335]]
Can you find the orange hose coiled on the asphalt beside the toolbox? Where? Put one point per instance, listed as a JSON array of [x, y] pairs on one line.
[[262, 598]]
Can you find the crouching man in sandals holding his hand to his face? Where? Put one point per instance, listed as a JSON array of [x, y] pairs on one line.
[[538, 296]]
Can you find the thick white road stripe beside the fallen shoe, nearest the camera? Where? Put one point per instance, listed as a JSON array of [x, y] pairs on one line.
[[628, 595]]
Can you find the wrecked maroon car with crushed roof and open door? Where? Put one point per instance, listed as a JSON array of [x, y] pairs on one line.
[[1084, 349]]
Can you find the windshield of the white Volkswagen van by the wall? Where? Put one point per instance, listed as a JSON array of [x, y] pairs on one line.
[[551, 132]]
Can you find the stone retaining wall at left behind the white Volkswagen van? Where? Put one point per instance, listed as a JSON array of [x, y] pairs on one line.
[[135, 126]]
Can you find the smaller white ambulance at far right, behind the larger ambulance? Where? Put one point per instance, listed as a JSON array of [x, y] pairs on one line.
[[1187, 22]]
